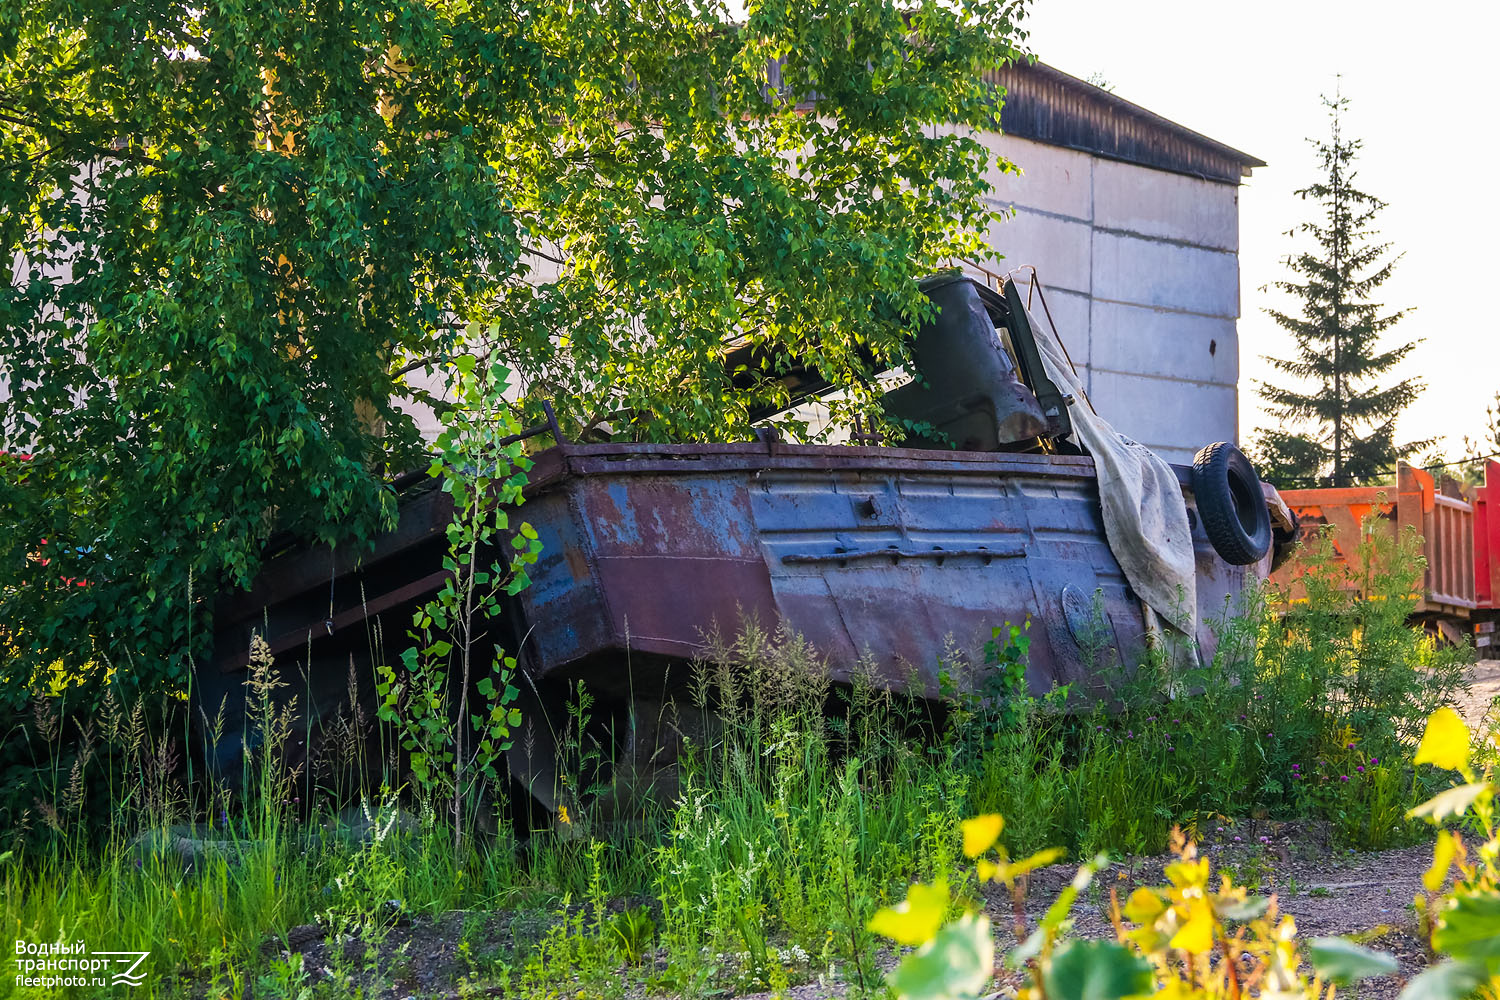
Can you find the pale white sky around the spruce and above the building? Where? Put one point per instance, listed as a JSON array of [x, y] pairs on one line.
[[1420, 77]]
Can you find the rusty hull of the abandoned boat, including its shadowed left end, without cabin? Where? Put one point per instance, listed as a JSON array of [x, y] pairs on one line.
[[887, 555]]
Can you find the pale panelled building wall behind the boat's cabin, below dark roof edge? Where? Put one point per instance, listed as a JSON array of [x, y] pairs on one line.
[[1141, 269]]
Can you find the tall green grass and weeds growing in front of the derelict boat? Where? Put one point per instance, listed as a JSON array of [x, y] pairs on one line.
[[797, 809]]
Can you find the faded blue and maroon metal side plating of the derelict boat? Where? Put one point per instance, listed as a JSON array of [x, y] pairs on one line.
[[880, 552]]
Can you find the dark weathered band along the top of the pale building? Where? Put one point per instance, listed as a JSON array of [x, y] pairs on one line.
[[1048, 106]]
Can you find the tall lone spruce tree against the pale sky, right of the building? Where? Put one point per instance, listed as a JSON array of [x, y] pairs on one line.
[[1348, 422]]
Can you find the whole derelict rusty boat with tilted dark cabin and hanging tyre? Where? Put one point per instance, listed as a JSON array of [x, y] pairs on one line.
[[880, 557]]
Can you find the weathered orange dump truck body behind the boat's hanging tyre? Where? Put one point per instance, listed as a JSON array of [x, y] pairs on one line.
[[1445, 521]]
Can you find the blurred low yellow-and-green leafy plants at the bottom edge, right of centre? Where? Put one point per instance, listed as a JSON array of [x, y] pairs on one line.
[[1184, 939]]
